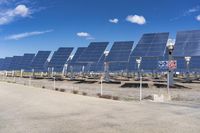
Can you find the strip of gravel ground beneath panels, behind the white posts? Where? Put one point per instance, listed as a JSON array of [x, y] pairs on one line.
[[127, 94]]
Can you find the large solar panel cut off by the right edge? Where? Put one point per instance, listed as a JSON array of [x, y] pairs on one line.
[[187, 44]]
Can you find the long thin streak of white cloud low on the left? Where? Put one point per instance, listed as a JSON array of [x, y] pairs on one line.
[[26, 34]]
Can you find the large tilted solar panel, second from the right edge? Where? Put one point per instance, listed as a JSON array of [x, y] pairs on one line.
[[151, 45]]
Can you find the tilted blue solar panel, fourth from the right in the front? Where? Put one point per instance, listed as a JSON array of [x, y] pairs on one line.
[[93, 52]]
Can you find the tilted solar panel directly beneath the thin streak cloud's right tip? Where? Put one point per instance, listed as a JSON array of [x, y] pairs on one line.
[[40, 61]]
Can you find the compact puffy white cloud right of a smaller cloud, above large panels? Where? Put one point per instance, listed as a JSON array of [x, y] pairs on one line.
[[136, 19]]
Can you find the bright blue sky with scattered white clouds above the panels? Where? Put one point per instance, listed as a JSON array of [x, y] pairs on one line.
[[27, 26]]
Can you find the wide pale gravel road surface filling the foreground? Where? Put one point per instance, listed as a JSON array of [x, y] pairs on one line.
[[25, 109]]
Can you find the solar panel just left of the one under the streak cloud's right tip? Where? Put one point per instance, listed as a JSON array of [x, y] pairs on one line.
[[26, 61]]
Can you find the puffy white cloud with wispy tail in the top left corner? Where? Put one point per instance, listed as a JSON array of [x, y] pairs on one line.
[[11, 14]]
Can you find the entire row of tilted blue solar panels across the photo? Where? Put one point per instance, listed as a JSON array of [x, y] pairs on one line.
[[151, 47]]
